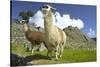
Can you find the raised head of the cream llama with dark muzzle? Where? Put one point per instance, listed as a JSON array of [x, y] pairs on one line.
[[46, 9]]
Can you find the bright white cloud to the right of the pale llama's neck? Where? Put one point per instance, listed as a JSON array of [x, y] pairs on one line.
[[65, 21]]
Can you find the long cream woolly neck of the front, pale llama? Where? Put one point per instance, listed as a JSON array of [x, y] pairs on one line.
[[48, 22]]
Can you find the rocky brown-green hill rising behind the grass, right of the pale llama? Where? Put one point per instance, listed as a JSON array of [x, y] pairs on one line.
[[77, 39]]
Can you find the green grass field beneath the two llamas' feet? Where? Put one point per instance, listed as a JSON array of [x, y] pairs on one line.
[[69, 56]]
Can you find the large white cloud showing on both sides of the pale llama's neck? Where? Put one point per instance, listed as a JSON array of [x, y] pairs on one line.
[[61, 21]]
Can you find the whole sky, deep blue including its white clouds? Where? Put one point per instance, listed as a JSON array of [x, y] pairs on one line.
[[81, 16]]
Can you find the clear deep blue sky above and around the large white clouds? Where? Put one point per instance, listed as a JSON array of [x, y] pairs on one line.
[[85, 13]]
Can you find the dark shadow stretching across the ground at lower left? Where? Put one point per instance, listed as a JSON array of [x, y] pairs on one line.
[[22, 61]]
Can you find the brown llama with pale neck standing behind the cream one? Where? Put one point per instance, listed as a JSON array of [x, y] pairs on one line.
[[33, 36]]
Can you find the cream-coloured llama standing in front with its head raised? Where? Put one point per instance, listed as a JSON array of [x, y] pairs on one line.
[[55, 37]]
